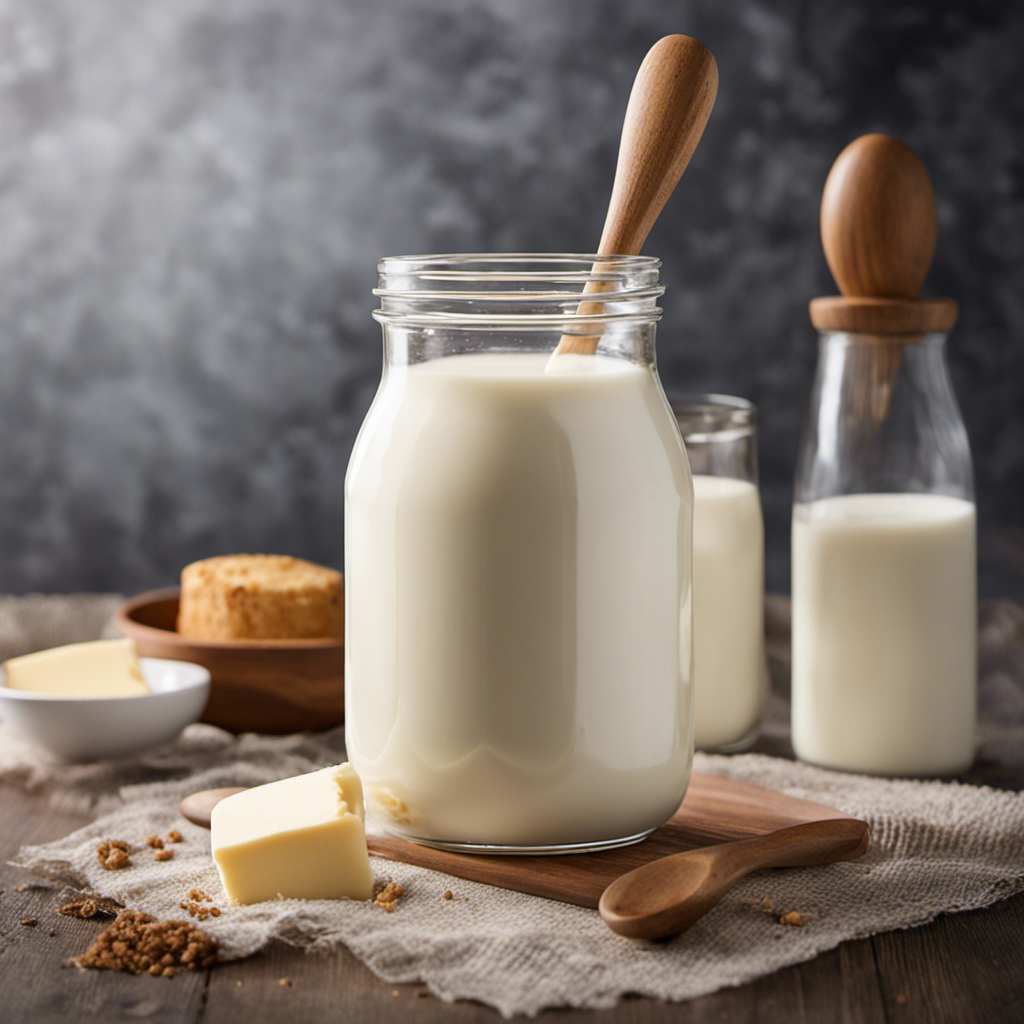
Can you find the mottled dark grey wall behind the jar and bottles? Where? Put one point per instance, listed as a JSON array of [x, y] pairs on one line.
[[194, 194]]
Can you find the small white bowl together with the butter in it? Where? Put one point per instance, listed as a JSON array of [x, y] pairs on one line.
[[96, 701]]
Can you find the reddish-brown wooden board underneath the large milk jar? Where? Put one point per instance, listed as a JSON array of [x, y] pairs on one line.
[[715, 810]]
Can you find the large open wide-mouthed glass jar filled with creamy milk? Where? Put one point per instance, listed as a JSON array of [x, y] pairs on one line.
[[518, 561]]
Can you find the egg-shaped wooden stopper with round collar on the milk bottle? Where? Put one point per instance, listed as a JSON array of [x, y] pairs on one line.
[[879, 231]]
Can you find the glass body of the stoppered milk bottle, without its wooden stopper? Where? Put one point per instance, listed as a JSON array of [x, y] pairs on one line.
[[884, 564]]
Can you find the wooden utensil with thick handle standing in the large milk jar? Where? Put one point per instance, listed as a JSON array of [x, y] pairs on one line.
[[669, 107]]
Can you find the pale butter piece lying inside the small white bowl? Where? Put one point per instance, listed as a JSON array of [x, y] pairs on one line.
[[97, 669]]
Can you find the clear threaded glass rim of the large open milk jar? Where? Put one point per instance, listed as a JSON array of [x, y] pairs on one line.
[[524, 290]]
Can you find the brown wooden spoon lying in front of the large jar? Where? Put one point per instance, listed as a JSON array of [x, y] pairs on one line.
[[667, 897]]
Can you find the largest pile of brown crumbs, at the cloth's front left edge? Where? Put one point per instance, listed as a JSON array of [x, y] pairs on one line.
[[139, 944]]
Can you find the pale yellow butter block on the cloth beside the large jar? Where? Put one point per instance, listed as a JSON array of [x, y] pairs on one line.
[[302, 838]]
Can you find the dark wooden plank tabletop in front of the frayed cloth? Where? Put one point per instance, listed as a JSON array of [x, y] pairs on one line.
[[962, 968]]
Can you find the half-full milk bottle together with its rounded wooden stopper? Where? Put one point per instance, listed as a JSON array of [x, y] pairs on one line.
[[884, 549]]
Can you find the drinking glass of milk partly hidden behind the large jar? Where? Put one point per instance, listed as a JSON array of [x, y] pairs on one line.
[[730, 668]]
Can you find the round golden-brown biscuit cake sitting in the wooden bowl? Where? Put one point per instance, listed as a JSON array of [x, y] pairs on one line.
[[261, 598]]
